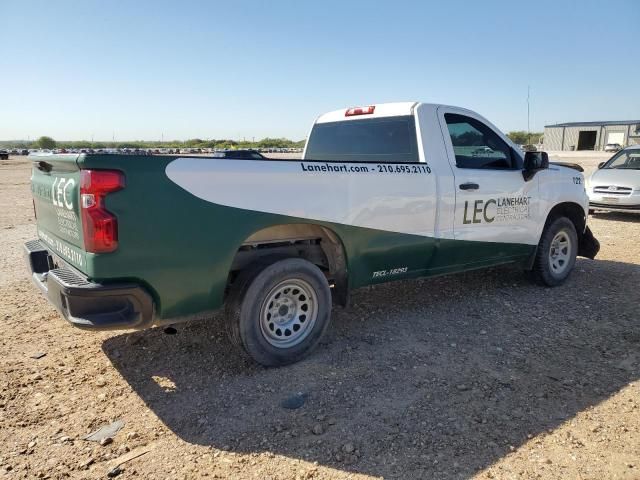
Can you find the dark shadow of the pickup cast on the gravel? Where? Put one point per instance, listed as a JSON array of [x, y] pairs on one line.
[[435, 378]]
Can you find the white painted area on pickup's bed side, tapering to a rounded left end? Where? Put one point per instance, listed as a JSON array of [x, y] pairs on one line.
[[361, 196]]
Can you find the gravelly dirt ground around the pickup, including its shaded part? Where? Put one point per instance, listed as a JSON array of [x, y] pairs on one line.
[[477, 375]]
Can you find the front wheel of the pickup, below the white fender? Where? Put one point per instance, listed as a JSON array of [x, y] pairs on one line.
[[543, 271]]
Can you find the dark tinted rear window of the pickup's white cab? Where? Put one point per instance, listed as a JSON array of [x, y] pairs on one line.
[[387, 140]]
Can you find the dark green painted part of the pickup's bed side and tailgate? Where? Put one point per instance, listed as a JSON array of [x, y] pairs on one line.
[[181, 247]]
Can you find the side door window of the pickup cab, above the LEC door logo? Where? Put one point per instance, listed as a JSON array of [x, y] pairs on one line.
[[477, 146]]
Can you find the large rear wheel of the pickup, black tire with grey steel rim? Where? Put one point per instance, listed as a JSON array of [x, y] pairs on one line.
[[246, 310]]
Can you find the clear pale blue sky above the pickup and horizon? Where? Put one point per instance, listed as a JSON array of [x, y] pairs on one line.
[[184, 69]]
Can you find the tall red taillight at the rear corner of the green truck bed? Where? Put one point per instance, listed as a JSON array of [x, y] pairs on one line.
[[100, 227]]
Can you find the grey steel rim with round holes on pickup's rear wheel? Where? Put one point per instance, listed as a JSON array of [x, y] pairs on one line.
[[288, 313]]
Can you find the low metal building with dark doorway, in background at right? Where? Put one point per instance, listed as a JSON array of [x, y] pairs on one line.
[[590, 135]]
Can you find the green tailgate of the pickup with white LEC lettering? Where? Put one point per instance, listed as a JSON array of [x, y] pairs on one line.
[[55, 185]]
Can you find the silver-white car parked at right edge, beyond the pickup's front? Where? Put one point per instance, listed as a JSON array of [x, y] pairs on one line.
[[615, 186]]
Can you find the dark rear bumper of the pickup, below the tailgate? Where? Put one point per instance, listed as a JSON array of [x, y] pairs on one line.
[[85, 304]]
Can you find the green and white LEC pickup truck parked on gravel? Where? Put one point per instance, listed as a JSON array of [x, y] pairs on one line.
[[383, 192]]
